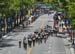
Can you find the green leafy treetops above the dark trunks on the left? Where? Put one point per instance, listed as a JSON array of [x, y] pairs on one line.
[[8, 7]]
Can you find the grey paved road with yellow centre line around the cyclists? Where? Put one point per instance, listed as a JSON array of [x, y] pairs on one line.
[[53, 45]]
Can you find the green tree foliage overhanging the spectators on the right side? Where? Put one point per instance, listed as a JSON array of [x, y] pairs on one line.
[[67, 5]]
